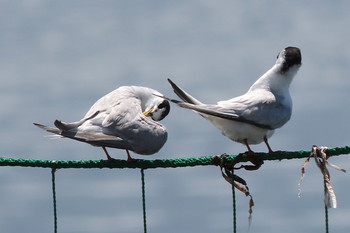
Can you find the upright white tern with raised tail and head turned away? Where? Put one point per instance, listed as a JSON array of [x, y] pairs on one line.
[[253, 117]]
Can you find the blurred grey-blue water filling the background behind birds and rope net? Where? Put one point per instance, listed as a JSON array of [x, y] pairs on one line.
[[58, 58]]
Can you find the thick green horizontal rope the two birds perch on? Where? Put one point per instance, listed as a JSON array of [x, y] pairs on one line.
[[164, 163]]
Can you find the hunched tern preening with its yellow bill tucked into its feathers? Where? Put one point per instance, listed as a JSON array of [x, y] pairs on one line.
[[126, 118]]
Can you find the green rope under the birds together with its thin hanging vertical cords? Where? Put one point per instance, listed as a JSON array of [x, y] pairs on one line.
[[165, 163]]
